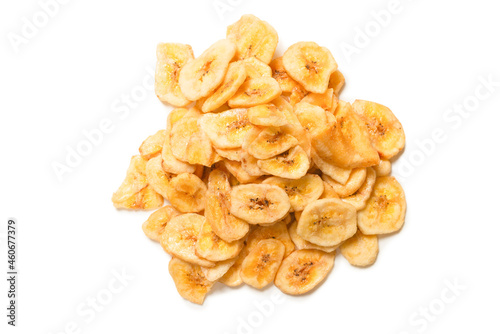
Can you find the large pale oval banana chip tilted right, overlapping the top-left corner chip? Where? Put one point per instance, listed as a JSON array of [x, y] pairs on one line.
[[201, 76]]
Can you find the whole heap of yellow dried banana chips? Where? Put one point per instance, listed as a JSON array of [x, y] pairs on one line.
[[268, 174]]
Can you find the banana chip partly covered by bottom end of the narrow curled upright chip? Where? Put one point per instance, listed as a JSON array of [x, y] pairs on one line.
[[209, 246]]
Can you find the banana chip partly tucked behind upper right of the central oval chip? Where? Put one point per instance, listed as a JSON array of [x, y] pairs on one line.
[[301, 192]]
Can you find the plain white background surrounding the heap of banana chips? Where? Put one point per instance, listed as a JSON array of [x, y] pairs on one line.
[[67, 78]]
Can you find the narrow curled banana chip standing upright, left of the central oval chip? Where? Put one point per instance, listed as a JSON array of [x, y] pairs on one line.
[[226, 226]]
